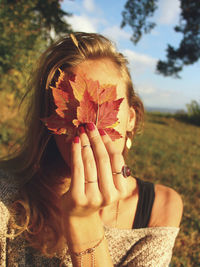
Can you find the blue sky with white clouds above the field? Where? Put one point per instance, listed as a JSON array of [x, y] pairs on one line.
[[156, 91]]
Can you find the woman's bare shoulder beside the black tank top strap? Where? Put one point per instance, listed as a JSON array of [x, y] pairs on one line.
[[167, 208]]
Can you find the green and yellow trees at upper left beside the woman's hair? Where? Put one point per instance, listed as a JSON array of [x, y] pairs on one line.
[[26, 28]]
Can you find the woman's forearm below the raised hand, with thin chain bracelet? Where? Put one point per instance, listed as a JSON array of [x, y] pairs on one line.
[[84, 233]]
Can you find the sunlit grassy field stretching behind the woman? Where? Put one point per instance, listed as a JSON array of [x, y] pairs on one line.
[[167, 152]]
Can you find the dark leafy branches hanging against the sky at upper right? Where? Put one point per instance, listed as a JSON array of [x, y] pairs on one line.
[[136, 14]]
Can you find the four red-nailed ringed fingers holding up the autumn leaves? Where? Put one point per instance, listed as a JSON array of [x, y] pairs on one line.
[[94, 157]]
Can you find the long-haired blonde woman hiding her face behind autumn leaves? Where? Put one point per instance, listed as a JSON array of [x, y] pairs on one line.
[[67, 196]]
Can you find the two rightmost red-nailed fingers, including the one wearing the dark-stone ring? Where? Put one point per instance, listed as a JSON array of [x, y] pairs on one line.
[[108, 160]]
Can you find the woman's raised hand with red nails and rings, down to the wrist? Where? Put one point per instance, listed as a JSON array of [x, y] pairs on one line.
[[94, 162]]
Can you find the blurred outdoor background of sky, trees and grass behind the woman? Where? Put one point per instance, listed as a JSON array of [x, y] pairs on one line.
[[161, 40]]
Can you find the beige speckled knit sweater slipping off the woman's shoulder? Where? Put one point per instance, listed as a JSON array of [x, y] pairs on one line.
[[142, 247]]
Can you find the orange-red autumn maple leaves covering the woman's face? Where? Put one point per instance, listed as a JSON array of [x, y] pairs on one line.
[[80, 100]]
